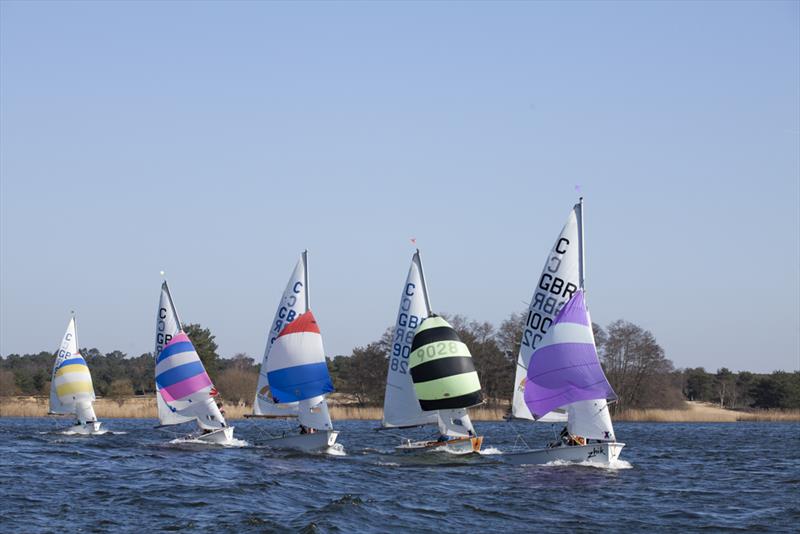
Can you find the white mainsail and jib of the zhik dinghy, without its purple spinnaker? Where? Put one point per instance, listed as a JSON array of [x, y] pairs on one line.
[[561, 277]]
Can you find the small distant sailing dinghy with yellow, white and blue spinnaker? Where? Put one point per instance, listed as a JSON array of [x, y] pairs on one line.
[[71, 389]]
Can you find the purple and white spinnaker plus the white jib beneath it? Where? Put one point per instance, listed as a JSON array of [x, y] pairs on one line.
[[565, 372]]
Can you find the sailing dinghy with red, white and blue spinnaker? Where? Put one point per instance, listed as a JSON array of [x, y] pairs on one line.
[[294, 379]]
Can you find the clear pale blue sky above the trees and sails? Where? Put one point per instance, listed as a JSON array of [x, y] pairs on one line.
[[216, 141]]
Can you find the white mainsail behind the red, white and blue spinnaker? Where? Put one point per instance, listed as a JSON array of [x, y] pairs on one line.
[[294, 303]]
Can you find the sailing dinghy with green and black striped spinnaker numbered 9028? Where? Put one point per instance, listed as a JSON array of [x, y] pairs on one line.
[[431, 378]]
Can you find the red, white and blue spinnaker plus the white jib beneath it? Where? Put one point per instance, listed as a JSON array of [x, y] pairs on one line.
[[297, 371]]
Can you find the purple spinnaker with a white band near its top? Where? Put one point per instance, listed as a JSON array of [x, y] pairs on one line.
[[565, 372]]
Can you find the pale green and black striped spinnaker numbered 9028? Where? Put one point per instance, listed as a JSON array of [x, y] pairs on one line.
[[442, 369]]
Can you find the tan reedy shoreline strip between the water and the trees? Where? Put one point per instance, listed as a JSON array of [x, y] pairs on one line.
[[144, 407]]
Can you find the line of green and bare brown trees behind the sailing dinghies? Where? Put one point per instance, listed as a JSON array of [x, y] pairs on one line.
[[636, 366]]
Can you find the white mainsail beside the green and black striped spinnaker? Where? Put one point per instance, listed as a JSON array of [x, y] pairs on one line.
[[400, 405]]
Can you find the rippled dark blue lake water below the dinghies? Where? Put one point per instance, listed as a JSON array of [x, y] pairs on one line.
[[676, 477]]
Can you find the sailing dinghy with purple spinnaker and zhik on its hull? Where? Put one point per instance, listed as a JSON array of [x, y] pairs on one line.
[[559, 376]]
